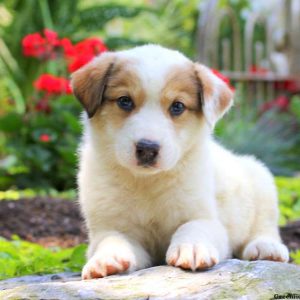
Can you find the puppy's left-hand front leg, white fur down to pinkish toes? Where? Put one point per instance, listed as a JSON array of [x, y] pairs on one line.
[[111, 253]]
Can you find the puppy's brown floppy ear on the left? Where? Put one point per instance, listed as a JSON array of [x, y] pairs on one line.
[[89, 82]]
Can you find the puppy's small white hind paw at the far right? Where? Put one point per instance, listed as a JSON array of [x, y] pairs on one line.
[[266, 249]]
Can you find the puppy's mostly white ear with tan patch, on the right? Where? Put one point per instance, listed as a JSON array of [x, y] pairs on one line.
[[216, 96]]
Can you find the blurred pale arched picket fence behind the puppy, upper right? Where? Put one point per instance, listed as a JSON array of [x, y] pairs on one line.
[[264, 67]]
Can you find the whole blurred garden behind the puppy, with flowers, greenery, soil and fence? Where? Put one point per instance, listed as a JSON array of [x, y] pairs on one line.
[[43, 41]]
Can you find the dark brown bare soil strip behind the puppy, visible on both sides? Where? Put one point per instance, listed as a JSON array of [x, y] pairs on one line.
[[56, 222]]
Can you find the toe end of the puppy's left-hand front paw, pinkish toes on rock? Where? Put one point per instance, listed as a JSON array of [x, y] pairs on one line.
[[109, 260]]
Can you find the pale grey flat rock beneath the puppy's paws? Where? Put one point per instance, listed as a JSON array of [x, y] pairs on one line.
[[232, 279]]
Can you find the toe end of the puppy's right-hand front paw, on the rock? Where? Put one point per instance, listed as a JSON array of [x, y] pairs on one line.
[[192, 256]]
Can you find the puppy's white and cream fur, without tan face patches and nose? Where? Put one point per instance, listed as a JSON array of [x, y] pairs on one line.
[[200, 205]]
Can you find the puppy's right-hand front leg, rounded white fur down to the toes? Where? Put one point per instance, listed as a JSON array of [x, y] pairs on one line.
[[198, 244]]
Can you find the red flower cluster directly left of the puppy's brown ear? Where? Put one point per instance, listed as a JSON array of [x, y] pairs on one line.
[[53, 85]]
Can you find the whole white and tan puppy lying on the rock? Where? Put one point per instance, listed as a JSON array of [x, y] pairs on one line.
[[154, 186]]
